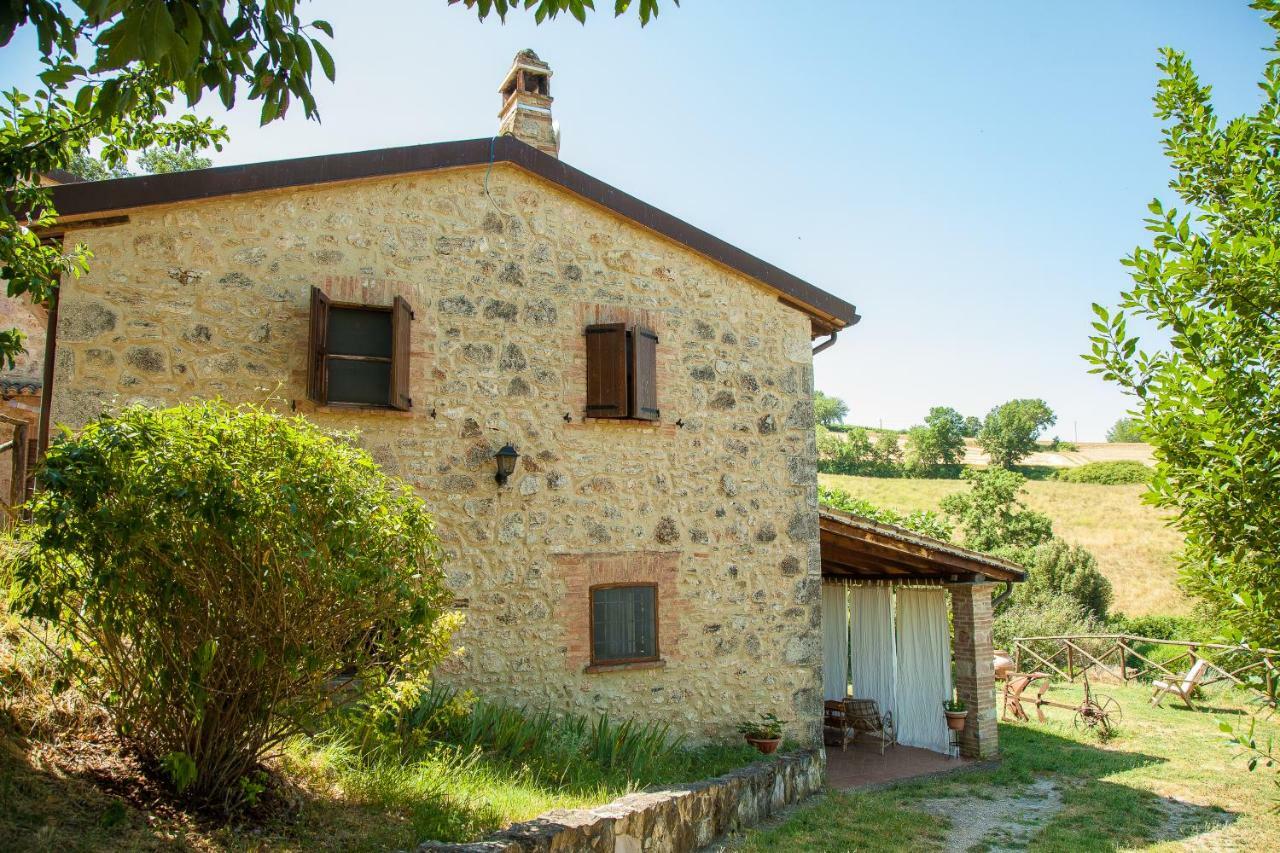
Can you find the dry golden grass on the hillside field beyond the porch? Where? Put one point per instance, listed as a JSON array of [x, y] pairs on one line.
[[1135, 548]]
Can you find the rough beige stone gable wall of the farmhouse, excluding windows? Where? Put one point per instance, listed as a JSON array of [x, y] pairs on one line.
[[209, 299]]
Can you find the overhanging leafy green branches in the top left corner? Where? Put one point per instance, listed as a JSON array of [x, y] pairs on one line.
[[113, 74]]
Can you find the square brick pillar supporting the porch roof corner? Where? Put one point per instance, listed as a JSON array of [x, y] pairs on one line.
[[976, 677]]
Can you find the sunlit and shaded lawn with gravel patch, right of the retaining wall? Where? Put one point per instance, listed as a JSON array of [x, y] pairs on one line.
[[1165, 783]]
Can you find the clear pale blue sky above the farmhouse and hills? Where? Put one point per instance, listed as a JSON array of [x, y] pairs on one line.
[[967, 175]]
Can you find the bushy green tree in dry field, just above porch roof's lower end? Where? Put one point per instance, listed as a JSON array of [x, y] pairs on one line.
[[991, 514]]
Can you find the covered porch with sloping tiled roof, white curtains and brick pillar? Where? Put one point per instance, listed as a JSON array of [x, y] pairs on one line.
[[888, 595]]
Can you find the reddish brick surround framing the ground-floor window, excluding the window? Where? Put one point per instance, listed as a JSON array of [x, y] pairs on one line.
[[582, 572]]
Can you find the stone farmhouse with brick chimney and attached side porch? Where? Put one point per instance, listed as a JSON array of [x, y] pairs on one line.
[[607, 409]]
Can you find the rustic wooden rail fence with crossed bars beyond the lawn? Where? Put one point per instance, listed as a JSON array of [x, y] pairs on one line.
[[1116, 656]]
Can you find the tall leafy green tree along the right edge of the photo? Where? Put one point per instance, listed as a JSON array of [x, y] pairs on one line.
[[1210, 399]]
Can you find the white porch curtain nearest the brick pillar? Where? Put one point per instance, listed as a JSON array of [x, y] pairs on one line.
[[924, 669]]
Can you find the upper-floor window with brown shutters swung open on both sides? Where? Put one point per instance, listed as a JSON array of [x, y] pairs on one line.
[[359, 354]]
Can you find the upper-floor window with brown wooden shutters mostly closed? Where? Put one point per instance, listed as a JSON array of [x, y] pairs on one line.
[[621, 372]]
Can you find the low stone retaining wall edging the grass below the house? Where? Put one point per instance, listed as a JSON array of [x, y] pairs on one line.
[[685, 818]]
